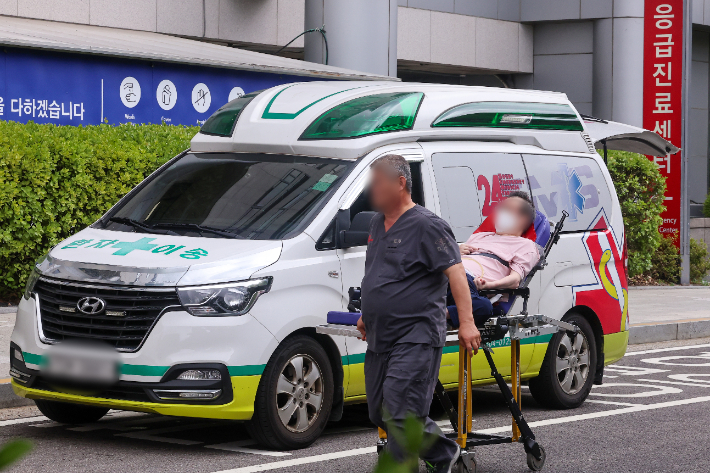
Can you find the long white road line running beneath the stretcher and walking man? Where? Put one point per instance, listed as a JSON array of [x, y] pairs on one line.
[[495, 430]]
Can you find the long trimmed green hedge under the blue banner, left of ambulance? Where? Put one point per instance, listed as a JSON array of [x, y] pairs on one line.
[[56, 180]]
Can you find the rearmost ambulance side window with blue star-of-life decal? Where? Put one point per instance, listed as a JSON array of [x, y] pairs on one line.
[[569, 183]]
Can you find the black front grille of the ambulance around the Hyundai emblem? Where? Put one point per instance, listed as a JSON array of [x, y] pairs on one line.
[[138, 309]]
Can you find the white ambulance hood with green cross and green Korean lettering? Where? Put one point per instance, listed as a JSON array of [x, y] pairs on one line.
[[143, 259]]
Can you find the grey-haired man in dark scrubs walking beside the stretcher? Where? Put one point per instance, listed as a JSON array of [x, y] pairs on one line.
[[411, 257]]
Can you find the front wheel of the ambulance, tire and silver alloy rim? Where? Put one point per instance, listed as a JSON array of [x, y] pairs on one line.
[[291, 409]]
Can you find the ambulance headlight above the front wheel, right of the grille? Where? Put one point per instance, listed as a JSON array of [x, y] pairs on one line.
[[223, 299]]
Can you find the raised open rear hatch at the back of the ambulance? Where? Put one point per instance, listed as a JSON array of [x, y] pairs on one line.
[[620, 137]]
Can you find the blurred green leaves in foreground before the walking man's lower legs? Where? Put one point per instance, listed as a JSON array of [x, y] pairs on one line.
[[415, 442]]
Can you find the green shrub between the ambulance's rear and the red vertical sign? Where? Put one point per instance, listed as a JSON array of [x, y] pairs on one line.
[[640, 187]]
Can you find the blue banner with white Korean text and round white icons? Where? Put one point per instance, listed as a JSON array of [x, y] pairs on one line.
[[76, 89]]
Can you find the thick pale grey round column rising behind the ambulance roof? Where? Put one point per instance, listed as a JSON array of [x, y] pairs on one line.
[[361, 35]]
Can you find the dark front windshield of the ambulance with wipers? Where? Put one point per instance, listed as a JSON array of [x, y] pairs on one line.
[[250, 196]]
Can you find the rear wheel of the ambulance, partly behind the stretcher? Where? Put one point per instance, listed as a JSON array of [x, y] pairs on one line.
[[569, 367]]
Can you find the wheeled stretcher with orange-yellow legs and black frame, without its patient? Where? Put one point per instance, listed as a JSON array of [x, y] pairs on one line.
[[518, 327]]
